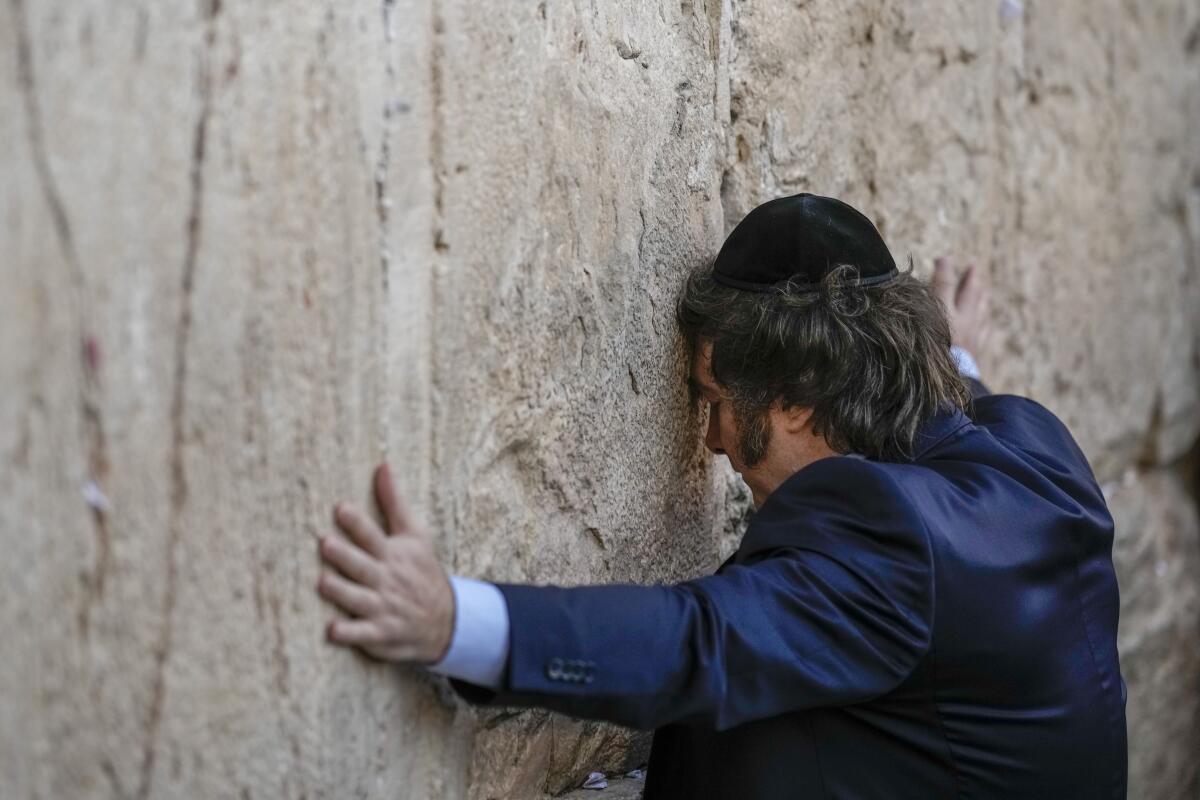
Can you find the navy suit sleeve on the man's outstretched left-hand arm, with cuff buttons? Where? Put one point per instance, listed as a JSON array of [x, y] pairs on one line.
[[829, 603]]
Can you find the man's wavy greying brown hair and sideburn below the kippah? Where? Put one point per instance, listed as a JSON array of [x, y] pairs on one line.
[[873, 363]]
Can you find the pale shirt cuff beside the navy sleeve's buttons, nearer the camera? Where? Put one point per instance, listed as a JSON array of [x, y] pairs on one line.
[[479, 648]]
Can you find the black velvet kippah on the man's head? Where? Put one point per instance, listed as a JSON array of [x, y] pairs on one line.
[[802, 238]]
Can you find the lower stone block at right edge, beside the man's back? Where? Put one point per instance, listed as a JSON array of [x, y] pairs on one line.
[[1157, 555]]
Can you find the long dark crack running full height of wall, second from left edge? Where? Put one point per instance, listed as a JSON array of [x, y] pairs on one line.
[[179, 394]]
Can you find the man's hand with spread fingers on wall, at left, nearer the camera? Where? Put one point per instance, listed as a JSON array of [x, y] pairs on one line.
[[391, 584]]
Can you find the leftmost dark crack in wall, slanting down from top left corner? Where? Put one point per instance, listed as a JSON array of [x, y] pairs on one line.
[[89, 405]]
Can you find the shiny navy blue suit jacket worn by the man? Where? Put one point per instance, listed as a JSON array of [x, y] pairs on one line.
[[940, 628]]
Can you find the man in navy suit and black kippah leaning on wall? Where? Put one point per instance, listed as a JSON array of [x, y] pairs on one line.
[[923, 605]]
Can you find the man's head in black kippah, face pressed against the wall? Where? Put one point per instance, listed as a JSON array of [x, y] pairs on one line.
[[801, 370]]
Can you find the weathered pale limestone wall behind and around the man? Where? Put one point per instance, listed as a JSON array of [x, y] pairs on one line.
[[250, 249]]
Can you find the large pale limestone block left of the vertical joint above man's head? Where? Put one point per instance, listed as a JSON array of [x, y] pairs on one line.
[[248, 252]]
